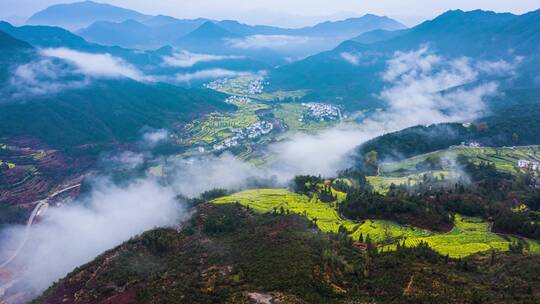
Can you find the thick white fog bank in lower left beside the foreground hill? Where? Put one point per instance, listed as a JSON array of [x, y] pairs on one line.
[[69, 236]]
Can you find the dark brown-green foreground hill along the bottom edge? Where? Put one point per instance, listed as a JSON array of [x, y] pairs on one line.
[[229, 254]]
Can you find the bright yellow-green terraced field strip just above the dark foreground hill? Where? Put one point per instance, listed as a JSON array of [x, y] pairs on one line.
[[469, 236]]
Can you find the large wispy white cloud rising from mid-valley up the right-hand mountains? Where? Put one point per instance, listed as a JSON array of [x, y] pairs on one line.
[[422, 88]]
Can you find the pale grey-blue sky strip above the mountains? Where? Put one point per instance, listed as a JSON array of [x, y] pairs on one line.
[[288, 12]]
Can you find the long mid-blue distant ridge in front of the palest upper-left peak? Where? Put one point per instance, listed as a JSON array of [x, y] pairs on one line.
[[164, 30]]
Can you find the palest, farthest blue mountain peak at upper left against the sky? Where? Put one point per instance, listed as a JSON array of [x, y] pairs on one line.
[[81, 14]]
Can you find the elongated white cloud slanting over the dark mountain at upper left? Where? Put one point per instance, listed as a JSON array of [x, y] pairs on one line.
[[97, 65]]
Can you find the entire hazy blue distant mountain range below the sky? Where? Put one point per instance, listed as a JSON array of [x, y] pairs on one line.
[[114, 26]]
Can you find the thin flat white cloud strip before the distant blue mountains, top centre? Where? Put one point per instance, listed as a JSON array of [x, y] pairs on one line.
[[269, 41]]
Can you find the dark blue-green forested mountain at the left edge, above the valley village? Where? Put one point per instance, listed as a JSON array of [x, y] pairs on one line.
[[84, 110]]
